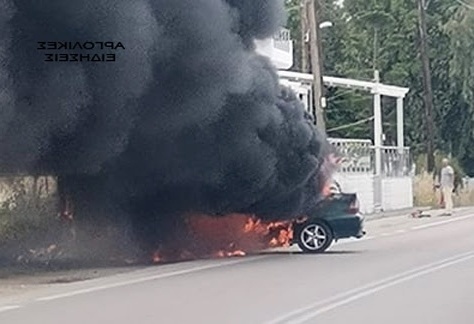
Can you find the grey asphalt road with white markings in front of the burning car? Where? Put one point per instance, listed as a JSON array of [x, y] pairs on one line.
[[406, 271]]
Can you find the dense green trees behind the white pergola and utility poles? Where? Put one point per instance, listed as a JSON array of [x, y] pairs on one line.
[[383, 35]]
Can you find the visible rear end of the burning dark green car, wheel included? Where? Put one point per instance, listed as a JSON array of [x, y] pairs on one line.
[[335, 217]]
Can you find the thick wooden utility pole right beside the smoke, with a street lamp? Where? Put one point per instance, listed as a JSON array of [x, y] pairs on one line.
[[316, 63]]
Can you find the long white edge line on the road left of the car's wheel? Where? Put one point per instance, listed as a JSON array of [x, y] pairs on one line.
[[145, 279]]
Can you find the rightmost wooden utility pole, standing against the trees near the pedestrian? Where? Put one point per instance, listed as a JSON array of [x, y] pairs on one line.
[[428, 92]]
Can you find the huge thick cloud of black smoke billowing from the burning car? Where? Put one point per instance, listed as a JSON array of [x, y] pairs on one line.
[[188, 119]]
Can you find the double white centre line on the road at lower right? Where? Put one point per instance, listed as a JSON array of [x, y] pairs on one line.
[[305, 313]]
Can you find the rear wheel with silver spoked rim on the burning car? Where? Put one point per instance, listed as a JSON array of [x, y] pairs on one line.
[[315, 237]]
